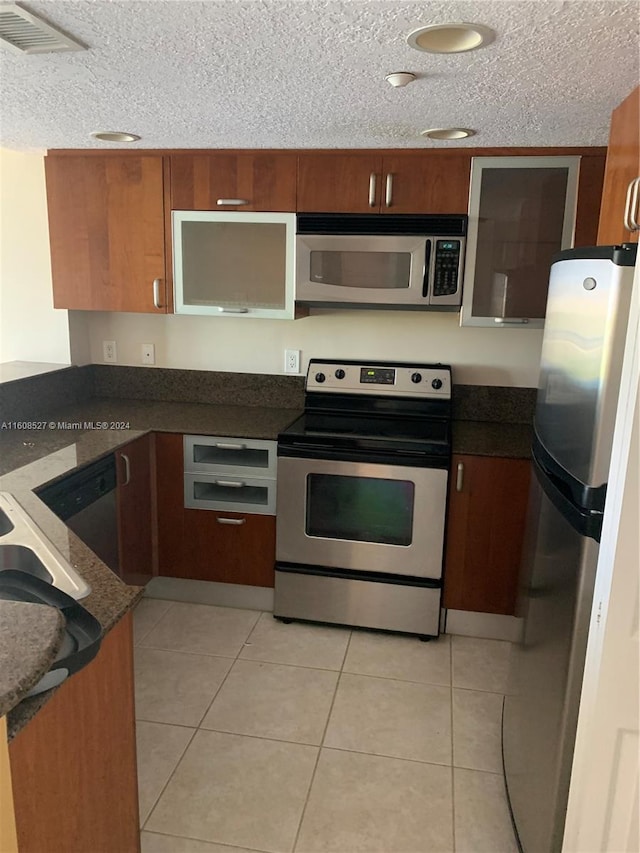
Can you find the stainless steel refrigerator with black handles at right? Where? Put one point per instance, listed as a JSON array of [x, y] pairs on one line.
[[584, 335]]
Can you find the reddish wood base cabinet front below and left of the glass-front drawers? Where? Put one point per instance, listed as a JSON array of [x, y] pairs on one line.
[[228, 547]]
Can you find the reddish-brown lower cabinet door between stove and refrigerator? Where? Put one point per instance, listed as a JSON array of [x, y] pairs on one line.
[[485, 528]]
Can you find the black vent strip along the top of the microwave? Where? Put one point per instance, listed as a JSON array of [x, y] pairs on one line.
[[402, 224]]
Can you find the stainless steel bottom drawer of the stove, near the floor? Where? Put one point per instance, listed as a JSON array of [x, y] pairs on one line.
[[365, 603]]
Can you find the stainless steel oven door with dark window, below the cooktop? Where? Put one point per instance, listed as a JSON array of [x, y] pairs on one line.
[[361, 516]]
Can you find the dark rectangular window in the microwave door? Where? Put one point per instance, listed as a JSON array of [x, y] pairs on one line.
[[390, 270]]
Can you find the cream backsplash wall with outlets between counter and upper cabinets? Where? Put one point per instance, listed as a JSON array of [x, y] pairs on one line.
[[479, 356]]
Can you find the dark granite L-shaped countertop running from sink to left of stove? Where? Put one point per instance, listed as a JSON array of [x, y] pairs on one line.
[[32, 457]]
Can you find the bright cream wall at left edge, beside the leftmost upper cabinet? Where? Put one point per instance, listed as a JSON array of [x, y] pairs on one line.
[[30, 328]]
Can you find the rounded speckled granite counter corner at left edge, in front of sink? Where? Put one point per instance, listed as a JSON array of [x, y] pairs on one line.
[[30, 636]]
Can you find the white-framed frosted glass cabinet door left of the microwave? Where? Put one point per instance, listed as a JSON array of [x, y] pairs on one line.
[[234, 263]]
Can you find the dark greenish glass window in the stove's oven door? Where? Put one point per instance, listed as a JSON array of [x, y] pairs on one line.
[[361, 509]]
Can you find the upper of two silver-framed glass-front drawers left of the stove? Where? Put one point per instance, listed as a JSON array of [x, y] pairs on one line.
[[222, 454]]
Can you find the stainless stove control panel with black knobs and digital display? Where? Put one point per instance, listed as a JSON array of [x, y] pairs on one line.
[[379, 378]]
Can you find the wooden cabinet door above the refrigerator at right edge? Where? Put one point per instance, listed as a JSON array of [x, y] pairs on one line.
[[622, 169]]
